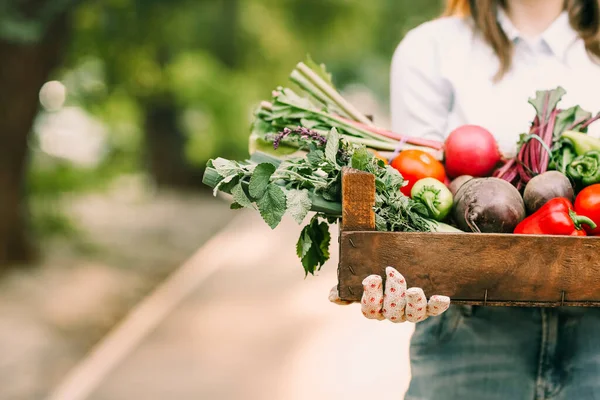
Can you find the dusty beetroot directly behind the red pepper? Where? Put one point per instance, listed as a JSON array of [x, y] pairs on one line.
[[545, 187]]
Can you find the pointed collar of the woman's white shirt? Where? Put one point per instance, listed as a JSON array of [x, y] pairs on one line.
[[559, 36]]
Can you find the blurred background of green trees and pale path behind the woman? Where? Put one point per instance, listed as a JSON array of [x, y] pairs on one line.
[[109, 111]]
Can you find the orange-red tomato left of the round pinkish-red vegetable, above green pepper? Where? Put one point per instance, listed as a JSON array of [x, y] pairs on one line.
[[415, 165]]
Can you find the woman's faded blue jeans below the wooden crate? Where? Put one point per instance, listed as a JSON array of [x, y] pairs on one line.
[[507, 353]]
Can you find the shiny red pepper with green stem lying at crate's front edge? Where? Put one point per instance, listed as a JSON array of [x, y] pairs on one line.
[[556, 217]]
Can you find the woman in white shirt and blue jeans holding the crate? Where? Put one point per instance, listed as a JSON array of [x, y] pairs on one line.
[[479, 65]]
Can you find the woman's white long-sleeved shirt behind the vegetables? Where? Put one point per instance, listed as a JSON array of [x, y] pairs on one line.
[[442, 77]]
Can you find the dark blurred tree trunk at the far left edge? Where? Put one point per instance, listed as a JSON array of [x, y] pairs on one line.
[[24, 68]]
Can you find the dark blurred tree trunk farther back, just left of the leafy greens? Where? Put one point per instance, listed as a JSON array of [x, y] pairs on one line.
[[165, 146]]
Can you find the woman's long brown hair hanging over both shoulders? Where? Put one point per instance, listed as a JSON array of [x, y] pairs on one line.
[[584, 16]]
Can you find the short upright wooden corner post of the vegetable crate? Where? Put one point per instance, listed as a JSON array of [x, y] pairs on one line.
[[358, 199]]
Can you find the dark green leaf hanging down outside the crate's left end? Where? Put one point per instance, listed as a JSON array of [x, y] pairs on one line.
[[313, 245]]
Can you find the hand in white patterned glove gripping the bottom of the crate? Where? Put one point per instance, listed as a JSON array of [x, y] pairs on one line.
[[397, 304]]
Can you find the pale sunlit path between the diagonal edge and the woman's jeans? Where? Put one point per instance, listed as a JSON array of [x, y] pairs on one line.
[[257, 330]]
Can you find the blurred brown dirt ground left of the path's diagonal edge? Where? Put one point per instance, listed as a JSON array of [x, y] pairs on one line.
[[52, 314]]
